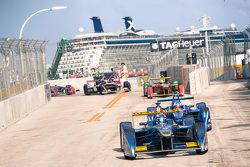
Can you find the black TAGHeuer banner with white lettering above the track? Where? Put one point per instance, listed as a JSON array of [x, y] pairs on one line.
[[184, 43]]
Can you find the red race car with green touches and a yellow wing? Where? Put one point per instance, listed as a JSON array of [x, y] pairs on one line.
[[160, 87]]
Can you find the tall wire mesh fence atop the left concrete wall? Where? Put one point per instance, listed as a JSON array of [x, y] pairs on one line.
[[22, 66]]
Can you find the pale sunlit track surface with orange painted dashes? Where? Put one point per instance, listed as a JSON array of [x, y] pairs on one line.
[[79, 131]]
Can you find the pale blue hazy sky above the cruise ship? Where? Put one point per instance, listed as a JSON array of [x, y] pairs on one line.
[[162, 16]]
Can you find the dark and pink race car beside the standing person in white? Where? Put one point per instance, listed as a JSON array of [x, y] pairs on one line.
[[106, 83]]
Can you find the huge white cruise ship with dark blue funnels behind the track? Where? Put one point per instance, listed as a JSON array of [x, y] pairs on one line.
[[138, 49]]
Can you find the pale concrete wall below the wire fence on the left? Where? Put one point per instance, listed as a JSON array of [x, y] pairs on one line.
[[15, 108]]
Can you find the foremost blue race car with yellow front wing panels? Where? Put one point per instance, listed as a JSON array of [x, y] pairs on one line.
[[165, 131]]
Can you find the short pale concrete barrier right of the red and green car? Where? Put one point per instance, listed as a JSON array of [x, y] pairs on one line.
[[199, 80]]
